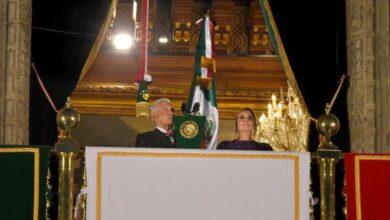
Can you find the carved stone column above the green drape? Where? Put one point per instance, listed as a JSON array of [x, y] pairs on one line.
[[15, 39]]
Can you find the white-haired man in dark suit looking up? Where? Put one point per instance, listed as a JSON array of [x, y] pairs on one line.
[[161, 113]]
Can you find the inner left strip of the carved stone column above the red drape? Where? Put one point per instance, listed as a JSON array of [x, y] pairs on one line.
[[360, 44]]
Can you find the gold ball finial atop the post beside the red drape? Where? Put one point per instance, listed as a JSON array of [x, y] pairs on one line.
[[328, 125]]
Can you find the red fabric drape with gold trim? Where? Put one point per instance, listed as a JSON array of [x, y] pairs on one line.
[[367, 186]]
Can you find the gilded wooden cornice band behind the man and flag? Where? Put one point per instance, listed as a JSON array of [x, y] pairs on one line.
[[119, 99]]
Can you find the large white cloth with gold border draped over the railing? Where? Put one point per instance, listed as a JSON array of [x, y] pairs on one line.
[[151, 184]]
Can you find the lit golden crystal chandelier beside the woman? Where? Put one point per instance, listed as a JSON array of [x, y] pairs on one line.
[[286, 125]]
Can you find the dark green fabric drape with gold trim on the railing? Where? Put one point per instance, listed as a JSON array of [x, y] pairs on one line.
[[23, 175]]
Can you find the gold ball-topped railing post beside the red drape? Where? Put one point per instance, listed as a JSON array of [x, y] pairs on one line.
[[327, 155]]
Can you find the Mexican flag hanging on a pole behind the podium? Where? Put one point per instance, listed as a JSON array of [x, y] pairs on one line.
[[203, 87]]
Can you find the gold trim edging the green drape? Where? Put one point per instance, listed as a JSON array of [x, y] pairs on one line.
[[35, 151]]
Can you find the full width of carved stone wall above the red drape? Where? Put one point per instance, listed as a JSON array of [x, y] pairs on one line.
[[368, 65]]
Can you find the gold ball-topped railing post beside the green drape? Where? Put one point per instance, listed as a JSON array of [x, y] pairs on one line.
[[67, 149]]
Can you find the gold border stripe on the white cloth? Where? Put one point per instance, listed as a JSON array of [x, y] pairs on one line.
[[100, 156]]
